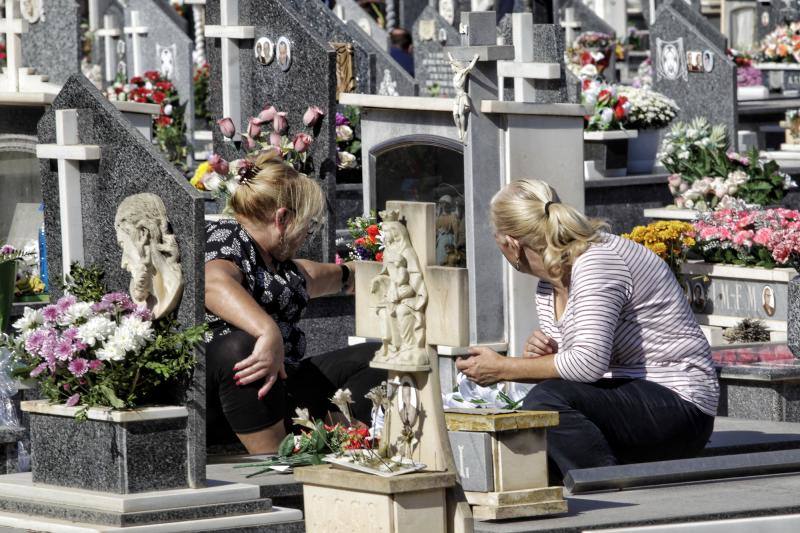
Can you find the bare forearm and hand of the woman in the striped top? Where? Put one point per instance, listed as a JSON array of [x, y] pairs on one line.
[[487, 367]]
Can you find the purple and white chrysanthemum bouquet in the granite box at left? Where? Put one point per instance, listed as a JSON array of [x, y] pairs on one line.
[[93, 348]]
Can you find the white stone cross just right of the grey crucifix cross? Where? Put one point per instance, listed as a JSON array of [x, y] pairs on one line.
[[523, 69]]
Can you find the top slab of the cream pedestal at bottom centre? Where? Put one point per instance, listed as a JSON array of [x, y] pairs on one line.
[[333, 477]]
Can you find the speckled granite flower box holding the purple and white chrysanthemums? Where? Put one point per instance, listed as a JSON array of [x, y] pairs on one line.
[[114, 451]]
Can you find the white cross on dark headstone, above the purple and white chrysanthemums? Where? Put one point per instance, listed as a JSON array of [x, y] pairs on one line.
[[69, 152]]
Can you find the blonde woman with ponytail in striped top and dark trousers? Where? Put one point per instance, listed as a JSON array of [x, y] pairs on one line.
[[618, 354]]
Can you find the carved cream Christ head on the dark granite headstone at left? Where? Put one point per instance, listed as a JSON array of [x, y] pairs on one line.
[[150, 253]]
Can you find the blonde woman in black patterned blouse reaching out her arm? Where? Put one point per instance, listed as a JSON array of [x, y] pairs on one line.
[[255, 294]]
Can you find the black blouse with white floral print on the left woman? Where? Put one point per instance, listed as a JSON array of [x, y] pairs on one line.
[[282, 293]]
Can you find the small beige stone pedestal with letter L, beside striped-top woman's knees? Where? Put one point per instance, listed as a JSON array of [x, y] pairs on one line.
[[502, 462]]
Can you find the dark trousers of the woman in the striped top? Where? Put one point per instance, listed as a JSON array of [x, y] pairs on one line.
[[617, 421]]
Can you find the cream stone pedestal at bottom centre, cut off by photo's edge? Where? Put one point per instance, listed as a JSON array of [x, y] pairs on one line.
[[409, 503]]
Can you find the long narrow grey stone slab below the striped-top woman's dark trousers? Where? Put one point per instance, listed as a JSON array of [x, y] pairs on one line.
[[681, 471]]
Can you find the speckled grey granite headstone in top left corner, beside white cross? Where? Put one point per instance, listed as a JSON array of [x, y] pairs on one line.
[[52, 44]]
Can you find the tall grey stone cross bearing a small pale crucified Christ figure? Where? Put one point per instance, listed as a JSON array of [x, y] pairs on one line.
[[482, 159]]
